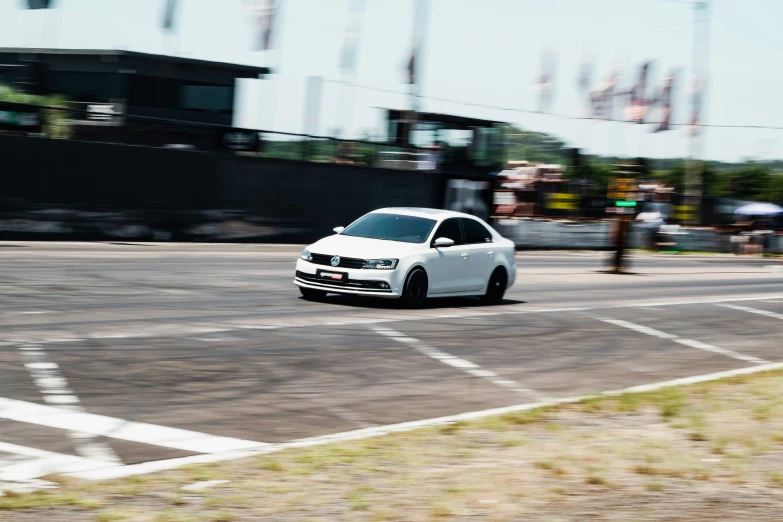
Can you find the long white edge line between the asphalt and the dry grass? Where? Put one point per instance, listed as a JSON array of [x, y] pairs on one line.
[[162, 465]]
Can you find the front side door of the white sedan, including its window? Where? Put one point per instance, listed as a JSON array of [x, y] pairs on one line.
[[449, 264]]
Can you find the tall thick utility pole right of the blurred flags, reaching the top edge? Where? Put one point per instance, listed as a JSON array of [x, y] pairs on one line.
[[694, 187]]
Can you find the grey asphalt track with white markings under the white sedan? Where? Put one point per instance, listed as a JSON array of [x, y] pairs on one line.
[[127, 353]]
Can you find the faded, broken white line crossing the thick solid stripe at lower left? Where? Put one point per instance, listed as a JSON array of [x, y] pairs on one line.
[[54, 390]]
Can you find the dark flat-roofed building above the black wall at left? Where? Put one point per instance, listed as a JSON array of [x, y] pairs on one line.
[[131, 97]]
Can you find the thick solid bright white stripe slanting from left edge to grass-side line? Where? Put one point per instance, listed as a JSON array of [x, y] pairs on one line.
[[101, 425]]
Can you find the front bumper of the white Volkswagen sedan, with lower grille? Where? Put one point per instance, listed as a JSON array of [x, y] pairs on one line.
[[360, 281]]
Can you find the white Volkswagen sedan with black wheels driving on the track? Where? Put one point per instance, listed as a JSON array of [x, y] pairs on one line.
[[410, 254]]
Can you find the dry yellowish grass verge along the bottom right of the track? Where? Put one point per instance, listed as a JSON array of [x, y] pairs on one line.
[[695, 443]]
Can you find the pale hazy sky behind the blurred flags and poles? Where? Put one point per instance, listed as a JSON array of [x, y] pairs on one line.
[[482, 52]]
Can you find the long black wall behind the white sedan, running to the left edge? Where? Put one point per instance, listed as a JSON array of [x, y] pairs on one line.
[[58, 189]]
